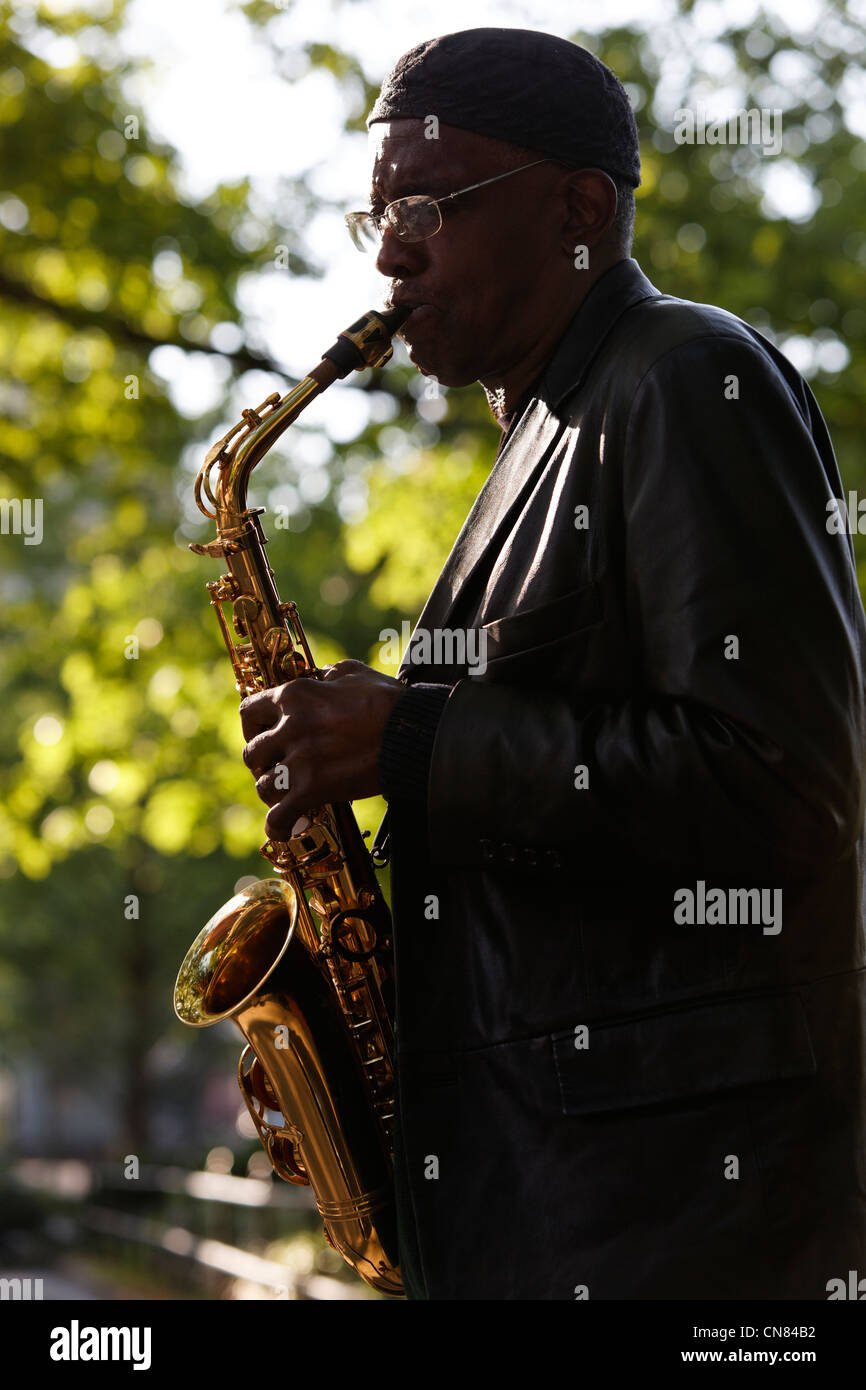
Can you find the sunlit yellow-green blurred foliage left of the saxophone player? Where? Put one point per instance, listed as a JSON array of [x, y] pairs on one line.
[[122, 769]]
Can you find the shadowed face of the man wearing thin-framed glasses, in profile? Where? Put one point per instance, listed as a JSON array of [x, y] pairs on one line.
[[489, 276]]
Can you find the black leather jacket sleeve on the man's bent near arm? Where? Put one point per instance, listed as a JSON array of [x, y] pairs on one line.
[[740, 740]]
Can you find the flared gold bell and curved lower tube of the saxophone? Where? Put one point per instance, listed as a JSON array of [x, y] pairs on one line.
[[250, 965]]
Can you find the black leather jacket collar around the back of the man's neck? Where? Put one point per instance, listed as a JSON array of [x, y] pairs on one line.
[[619, 288]]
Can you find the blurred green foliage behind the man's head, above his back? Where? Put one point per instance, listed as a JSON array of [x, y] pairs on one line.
[[704, 229]]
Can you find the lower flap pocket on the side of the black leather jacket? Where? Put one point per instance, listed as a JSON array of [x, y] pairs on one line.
[[683, 1053]]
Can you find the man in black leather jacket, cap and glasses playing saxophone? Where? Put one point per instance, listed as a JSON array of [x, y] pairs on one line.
[[628, 846]]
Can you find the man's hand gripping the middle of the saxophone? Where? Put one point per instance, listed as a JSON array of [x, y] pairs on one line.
[[312, 742]]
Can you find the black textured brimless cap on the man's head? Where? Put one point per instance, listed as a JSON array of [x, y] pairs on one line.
[[521, 87]]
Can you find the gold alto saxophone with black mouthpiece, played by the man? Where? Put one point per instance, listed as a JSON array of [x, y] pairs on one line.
[[302, 963]]
